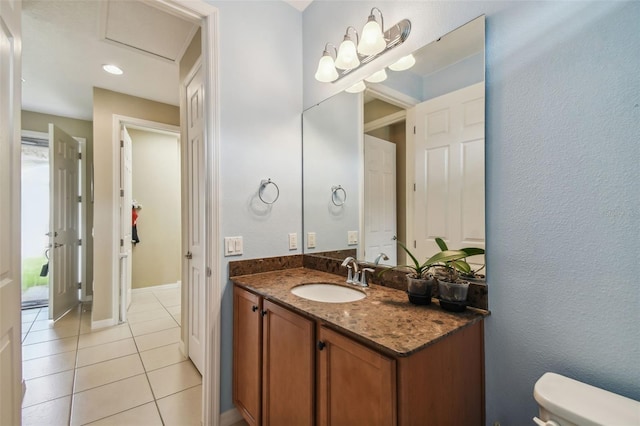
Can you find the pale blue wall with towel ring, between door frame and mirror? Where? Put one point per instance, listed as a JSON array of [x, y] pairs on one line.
[[260, 89]]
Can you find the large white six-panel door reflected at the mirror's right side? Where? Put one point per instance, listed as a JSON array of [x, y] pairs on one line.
[[449, 196]]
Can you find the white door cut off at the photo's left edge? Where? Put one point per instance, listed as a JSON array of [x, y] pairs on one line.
[[10, 332]]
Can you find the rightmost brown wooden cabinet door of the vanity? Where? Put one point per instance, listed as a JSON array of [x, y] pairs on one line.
[[357, 385]]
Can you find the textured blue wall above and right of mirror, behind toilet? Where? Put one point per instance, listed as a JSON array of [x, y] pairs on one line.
[[562, 161]]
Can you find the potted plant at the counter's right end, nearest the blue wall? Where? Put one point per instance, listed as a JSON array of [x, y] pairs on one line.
[[453, 277]]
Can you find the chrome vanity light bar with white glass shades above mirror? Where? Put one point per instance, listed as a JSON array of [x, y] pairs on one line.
[[371, 43]]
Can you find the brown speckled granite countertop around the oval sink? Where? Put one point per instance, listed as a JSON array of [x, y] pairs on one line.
[[384, 319]]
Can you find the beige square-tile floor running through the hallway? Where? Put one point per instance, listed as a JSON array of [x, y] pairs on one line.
[[130, 374]]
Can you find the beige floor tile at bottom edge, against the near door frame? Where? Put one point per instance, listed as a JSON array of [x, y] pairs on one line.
[[183, 408]]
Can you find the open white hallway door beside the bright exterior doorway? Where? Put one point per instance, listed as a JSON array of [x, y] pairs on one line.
[[63, 222]]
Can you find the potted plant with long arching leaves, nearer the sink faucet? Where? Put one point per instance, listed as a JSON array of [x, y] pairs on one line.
[[420, 280]]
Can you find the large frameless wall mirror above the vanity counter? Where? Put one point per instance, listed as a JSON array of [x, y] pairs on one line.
[[403, 158]]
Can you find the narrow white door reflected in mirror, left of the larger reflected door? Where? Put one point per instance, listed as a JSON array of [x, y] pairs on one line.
[[379, 199]]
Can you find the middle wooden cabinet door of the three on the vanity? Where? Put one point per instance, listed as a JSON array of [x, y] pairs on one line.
[[288, 368]]
